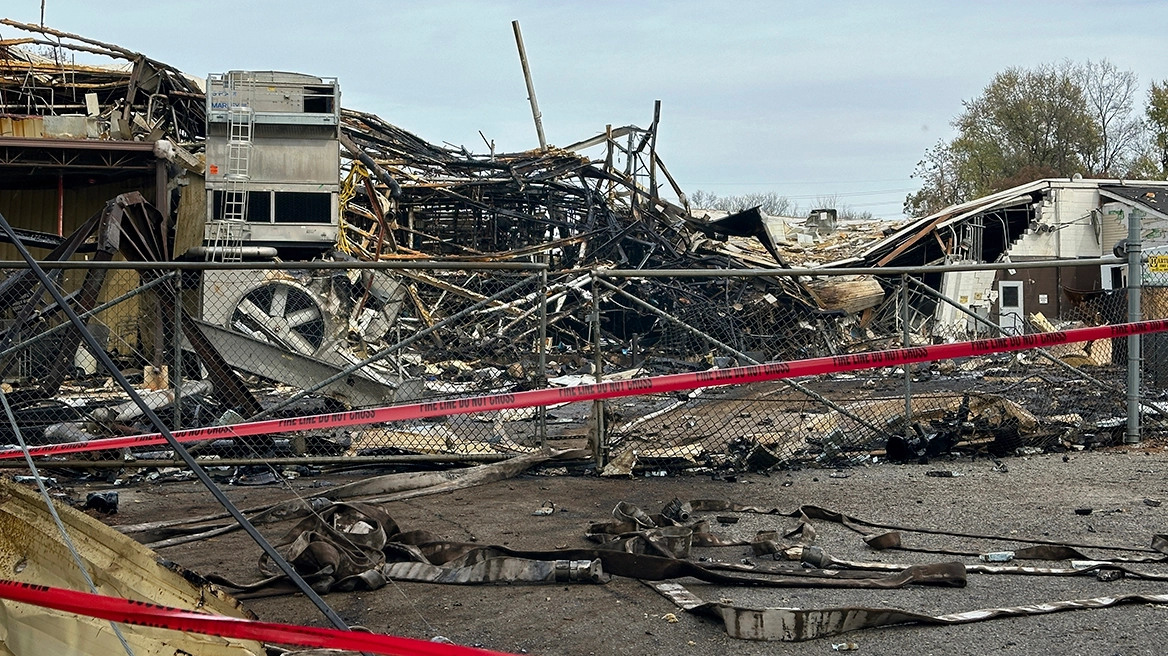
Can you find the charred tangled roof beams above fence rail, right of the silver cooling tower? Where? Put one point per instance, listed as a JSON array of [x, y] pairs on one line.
[[509, 206]]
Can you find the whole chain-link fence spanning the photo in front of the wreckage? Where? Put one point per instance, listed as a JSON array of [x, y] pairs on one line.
[[219, 346]]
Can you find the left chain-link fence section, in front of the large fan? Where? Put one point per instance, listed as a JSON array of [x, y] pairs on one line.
[[223, 346]]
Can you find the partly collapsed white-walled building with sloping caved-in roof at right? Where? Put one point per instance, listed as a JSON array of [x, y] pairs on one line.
[[1046, 220]]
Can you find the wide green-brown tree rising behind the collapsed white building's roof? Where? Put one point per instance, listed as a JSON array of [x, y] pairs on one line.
[[1049, 122]]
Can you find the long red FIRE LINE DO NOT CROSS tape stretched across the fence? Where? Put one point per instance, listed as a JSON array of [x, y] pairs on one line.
[[652, 386]]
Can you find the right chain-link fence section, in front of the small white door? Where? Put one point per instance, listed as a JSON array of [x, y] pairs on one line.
[[1068, 397]]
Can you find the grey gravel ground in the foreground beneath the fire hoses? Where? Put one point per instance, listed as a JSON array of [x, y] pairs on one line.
[[1037, 498]]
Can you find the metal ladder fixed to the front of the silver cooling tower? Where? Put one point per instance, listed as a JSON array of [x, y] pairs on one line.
[[227, 245]]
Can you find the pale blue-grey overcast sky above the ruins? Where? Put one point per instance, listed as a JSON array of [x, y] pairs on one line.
[[801, 99]]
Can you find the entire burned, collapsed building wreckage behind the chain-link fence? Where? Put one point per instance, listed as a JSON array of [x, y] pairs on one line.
[[427, 271]]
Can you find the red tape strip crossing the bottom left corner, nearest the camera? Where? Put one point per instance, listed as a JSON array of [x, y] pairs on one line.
[[145, 615]]
